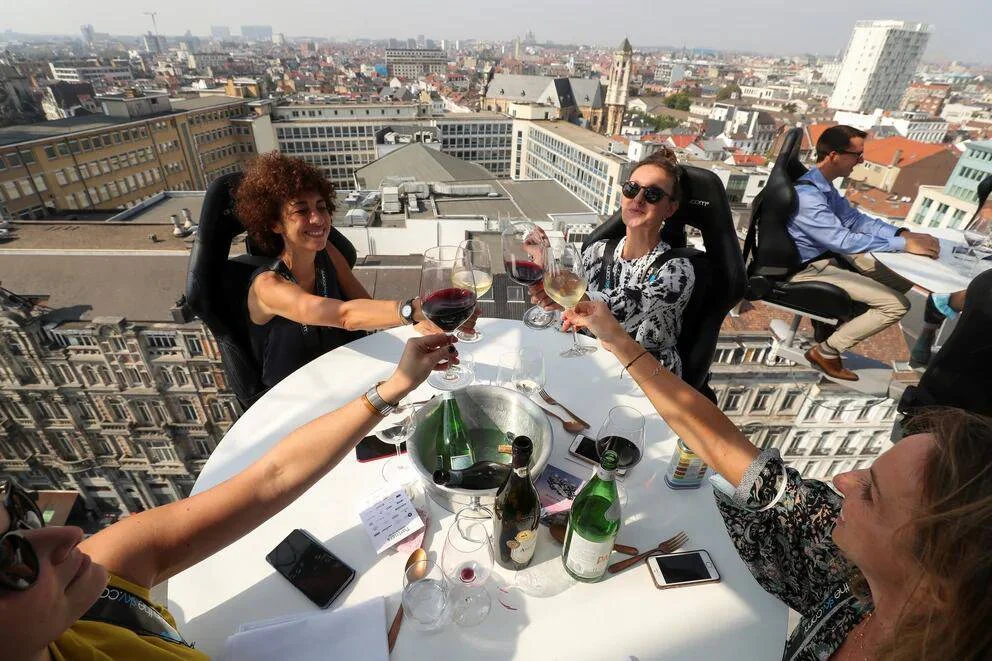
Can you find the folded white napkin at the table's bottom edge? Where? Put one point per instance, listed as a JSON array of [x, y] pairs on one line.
[[356, 632]]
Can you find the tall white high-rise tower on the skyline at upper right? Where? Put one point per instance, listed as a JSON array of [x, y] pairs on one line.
[[878, 64]]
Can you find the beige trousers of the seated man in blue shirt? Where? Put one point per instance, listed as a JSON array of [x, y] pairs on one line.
[[873, 284]]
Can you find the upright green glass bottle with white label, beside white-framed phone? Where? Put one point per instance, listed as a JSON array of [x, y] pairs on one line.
[[593, 524]]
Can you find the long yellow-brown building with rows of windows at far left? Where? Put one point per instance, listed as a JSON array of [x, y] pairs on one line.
[[141, 147]]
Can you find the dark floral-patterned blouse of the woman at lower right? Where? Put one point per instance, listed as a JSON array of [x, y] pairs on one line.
[[781, 526]]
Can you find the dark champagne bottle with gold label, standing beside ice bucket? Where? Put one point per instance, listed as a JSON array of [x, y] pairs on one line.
[[517, 511]]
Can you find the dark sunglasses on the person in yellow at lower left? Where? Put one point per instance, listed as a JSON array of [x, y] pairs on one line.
[[19, 565]]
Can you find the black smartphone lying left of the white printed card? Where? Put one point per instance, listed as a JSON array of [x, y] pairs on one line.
[[311, 568]]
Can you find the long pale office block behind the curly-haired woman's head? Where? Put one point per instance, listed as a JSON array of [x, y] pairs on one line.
[[342, 137]]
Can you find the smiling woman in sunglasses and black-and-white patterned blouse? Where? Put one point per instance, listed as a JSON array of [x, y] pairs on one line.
[[646, 299]]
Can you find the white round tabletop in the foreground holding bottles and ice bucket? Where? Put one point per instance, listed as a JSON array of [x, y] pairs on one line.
[[622, 617]]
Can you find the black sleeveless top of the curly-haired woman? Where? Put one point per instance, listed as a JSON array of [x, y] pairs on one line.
[[282, 346]]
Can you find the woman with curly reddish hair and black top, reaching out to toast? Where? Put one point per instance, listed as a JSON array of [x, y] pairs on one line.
[[308, 301]]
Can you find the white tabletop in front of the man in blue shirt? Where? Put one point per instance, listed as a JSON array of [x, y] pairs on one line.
[[946, 274]]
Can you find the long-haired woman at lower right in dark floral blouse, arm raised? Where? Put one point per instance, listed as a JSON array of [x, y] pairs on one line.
[[896, 567]]
